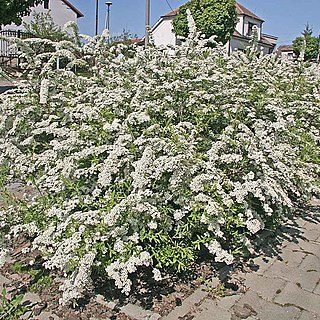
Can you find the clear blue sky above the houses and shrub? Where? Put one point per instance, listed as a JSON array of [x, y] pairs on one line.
[[283, 18]]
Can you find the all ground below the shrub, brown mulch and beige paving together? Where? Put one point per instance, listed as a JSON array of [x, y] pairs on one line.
[[281, 282]]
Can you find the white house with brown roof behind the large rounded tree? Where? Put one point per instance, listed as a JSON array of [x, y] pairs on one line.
[[163, 34]]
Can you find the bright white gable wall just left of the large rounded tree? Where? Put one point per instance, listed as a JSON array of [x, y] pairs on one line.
[[163, 34]]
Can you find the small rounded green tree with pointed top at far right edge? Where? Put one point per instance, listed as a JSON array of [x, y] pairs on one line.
[[311, 43]]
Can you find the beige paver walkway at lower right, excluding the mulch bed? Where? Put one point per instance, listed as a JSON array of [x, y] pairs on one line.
[[285, 287]]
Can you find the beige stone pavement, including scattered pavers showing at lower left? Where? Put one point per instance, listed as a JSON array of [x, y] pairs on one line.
[[282, 283]]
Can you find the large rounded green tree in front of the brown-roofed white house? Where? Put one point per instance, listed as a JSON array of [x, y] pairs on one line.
[[212, 17]]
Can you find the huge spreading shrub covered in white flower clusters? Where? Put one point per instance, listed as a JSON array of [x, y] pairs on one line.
[[151, 160]]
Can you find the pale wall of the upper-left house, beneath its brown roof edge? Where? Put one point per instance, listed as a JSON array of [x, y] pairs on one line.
[[60, 13]]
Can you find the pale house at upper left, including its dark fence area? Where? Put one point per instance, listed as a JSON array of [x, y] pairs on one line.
[[61, 12]]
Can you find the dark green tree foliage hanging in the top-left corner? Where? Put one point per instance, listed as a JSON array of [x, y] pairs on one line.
[[12, 11]]
